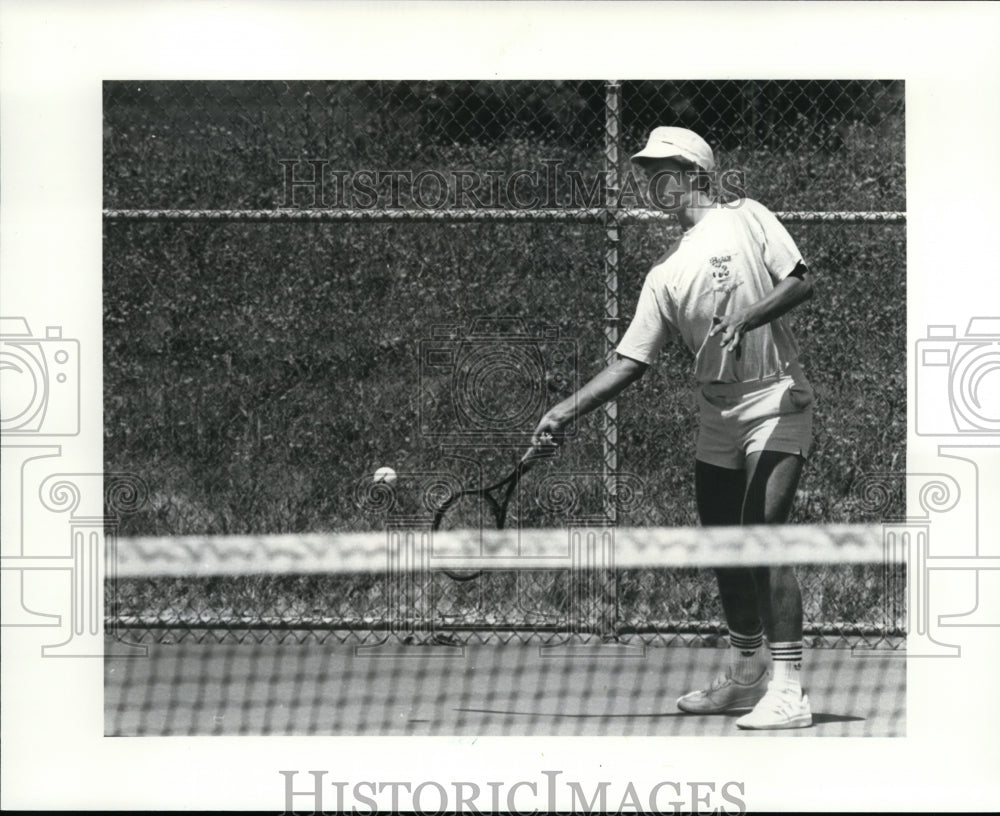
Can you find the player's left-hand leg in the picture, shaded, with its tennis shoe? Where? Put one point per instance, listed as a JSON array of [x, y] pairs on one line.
[[720, 497]]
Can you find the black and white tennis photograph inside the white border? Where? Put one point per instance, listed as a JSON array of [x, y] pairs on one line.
[[449, 371]]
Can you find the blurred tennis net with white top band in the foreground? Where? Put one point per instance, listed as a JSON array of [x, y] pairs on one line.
[[577, 630]]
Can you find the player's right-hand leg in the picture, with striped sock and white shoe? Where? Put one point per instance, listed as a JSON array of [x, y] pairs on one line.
[[772, 478]]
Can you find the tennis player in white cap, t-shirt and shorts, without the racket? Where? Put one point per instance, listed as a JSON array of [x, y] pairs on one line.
[[722, 290]]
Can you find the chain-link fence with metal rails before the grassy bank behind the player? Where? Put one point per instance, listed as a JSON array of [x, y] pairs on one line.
[[307, 280]]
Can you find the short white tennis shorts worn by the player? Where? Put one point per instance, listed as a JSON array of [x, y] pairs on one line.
[[737, 419]]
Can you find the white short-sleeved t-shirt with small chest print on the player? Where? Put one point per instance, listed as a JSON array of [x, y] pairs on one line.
[[729, 260]]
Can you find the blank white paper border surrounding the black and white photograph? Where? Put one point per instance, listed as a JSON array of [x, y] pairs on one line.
[[54, 59]]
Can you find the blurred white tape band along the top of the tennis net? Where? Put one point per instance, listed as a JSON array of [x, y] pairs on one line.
[[626, 548]]
